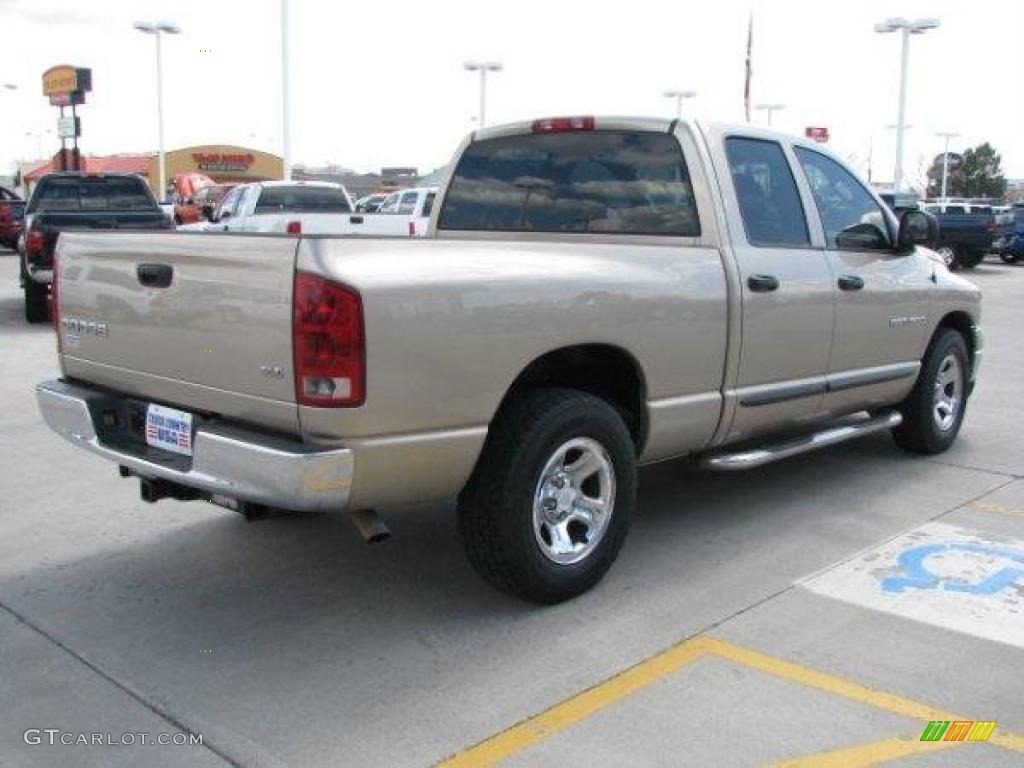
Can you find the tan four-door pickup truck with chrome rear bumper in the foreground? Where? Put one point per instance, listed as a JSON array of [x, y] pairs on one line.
[[592, 294]]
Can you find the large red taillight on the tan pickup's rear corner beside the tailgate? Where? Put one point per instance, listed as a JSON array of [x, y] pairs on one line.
[[328, 344]]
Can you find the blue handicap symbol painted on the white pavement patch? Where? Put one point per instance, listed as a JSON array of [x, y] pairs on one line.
[[917, 576]]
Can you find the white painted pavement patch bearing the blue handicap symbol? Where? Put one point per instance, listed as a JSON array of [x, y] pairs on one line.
[[941, 575]]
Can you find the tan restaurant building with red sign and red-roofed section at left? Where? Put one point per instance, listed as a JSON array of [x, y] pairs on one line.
[[223, 163]]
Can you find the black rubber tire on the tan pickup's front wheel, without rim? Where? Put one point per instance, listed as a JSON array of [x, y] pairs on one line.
[[921, 432]]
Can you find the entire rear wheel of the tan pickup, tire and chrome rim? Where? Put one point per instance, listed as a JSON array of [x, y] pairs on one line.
[[552, 497]]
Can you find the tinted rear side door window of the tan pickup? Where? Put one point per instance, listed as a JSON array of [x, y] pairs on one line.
[[766, 192]]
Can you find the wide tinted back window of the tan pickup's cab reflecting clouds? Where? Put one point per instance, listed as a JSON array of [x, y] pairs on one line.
[[623, 183]]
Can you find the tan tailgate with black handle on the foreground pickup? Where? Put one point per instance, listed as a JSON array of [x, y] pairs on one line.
[[217, 338]]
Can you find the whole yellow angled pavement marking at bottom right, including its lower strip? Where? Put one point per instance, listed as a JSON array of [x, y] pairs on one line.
[[582, 706]]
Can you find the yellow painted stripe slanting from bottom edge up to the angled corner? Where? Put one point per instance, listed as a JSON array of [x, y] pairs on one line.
[[580, 707]]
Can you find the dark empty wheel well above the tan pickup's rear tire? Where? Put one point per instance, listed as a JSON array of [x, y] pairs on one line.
[[603, 370]]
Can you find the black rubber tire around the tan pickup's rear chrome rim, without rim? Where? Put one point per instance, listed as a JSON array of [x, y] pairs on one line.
[[497, 508]]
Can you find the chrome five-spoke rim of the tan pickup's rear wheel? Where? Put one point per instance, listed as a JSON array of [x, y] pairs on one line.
[[574, 501]]
